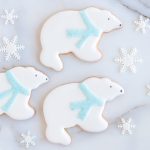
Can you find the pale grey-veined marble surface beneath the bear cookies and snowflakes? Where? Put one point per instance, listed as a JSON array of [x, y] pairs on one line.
[[135, 103]]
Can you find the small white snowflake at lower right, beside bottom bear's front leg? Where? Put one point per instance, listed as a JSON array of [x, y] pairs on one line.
[[126, 126]]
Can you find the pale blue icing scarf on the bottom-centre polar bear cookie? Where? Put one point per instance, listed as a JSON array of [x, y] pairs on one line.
[[86, 105]]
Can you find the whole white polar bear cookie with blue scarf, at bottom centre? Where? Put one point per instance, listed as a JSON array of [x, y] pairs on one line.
[[79, 104]]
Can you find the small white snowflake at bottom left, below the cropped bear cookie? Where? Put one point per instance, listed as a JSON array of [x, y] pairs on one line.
[[28, 140]]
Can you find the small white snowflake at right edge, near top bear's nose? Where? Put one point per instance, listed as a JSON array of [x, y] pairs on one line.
[[142, 24]]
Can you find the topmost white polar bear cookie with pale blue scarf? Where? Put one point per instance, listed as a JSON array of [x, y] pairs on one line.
[[77, 32]]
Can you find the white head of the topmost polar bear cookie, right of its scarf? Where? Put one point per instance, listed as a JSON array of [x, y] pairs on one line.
[[103, 19]]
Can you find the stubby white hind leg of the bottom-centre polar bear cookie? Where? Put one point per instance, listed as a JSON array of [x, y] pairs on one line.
[[58, 135]]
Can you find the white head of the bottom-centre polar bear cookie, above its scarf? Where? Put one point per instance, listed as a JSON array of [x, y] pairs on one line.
[[104, 88]]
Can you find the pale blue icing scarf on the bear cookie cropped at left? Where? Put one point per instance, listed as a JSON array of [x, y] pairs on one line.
[[16, 88]]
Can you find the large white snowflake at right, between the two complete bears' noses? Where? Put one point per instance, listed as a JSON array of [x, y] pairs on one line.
[[128, 59]]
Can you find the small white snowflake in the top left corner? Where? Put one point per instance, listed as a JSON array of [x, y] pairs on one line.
[[9, 16]]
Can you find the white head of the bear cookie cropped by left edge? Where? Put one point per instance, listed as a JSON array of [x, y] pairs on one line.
[[29, 77]]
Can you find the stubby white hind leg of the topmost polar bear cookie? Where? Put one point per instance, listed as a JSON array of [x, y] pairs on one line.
[[51, 60]]
